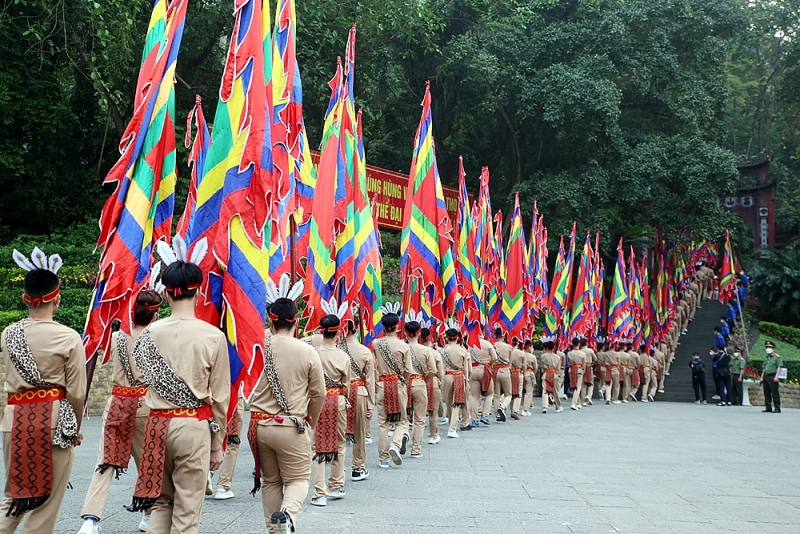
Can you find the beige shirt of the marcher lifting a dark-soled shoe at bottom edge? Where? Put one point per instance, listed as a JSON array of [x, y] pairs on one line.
[[300, 374]]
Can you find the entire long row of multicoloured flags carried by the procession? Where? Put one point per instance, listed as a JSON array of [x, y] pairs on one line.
[[265, 209]]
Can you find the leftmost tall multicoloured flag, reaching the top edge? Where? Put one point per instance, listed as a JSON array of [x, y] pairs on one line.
[[139, 212]]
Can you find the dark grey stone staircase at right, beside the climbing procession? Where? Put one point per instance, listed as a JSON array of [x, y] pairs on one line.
[[678, 385]]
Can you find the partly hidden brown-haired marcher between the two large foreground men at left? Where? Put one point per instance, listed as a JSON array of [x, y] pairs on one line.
[[128, 413]]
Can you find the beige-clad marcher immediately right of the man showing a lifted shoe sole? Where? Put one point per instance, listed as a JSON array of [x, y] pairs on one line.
[[422, 369]]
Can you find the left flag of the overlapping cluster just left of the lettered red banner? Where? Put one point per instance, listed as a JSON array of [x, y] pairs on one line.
[[321, 267]]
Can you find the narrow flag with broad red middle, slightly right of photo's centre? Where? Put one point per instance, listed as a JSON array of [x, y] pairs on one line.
[[514, 310]]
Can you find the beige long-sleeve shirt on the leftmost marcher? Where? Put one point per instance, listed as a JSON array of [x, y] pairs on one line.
[[58, 353]]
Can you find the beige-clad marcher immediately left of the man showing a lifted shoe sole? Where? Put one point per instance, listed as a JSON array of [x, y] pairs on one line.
[[363, 366]]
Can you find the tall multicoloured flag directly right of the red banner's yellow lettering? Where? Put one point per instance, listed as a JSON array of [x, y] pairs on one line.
[[426, 239]]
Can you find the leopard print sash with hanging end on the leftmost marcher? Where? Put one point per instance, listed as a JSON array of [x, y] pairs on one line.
[[19, 352]]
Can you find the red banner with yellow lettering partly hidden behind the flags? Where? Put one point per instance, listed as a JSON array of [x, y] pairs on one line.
[[388, 189]]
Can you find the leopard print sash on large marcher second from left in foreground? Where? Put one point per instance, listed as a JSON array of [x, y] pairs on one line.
[[162, 379]]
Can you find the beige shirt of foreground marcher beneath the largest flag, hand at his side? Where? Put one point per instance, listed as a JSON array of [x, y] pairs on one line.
[[197, 352]]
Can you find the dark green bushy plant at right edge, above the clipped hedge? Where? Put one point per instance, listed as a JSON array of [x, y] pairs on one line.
[[776, 287]]
